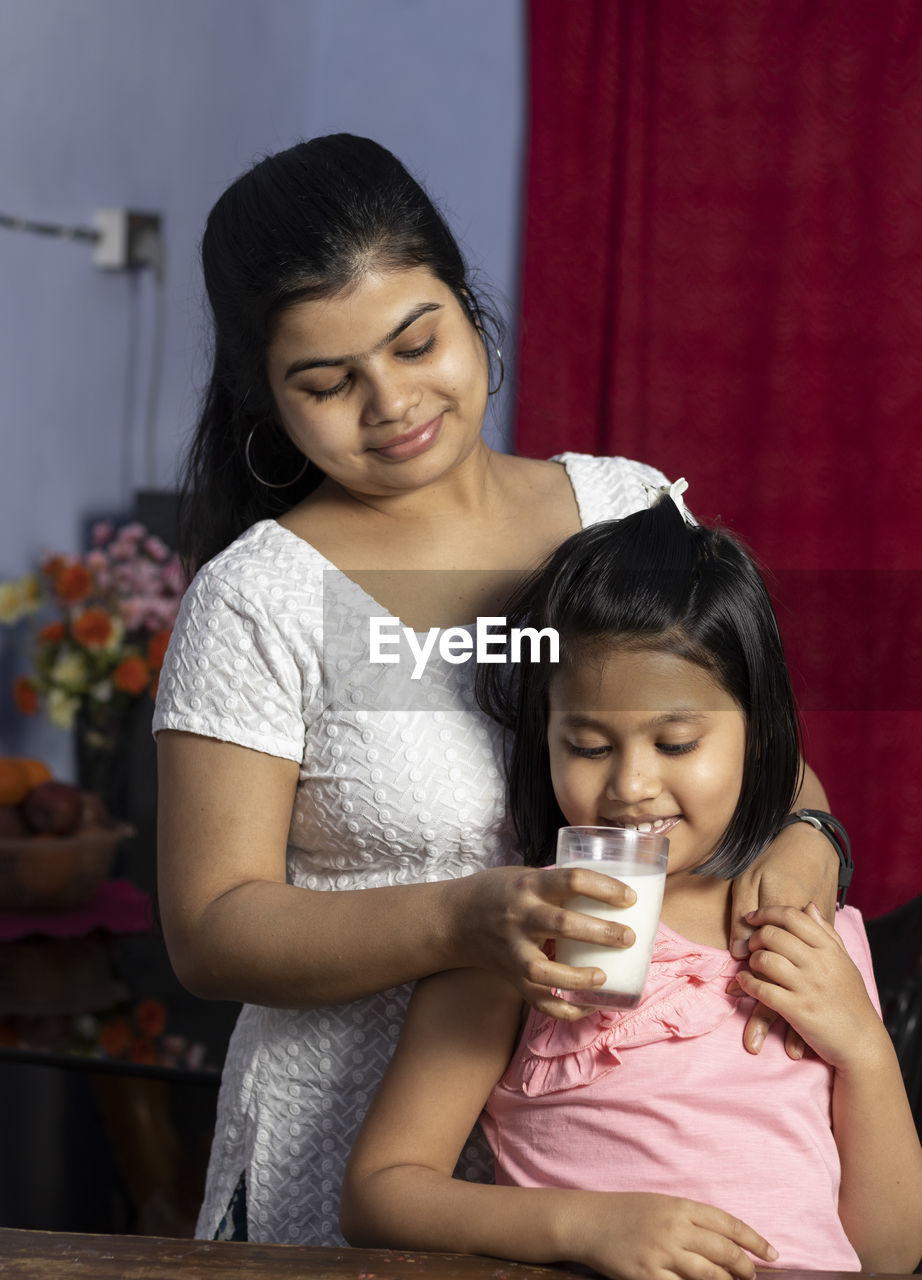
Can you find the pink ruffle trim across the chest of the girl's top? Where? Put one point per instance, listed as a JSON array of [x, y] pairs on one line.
[[686, 996]]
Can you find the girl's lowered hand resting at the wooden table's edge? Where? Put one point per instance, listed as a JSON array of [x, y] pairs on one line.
[[643, 1237]]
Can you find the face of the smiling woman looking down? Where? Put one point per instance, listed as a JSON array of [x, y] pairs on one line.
[[385, 386]]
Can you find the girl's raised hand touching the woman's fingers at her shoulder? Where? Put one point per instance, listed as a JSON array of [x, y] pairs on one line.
[[800, 968]]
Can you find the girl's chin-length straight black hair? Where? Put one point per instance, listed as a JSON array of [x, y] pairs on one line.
[[654, 582]]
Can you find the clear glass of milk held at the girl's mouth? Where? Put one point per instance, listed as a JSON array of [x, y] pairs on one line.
[[637, 860]]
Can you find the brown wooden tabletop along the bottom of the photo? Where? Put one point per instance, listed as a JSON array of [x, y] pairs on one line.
[[53, 1256]]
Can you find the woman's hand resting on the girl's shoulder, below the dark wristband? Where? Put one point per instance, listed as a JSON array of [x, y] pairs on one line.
[[798, 867]]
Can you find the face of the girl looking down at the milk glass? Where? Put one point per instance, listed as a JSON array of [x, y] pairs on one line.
[[646, 739]]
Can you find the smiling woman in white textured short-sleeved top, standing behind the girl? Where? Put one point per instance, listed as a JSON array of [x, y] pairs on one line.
[[350, 382]]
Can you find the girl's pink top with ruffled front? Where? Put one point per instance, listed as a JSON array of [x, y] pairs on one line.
[[665, 1099]]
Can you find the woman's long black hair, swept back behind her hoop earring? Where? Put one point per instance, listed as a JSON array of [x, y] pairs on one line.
[[302, 225]]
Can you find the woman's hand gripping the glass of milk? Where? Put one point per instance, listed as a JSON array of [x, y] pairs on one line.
[[512, 912]]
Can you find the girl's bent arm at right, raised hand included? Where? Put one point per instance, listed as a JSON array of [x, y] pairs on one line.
[[801, 968]]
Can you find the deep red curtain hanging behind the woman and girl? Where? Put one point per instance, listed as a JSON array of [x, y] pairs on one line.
[[723, 277]]
